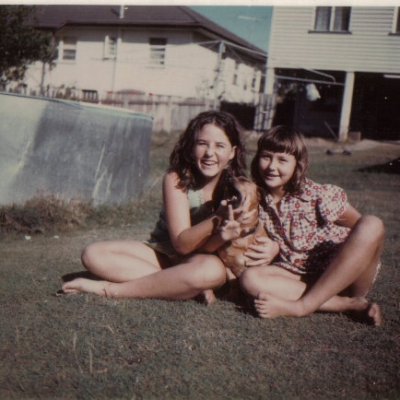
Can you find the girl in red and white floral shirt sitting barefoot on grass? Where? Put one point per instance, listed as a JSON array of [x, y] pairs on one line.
[[329, 253]]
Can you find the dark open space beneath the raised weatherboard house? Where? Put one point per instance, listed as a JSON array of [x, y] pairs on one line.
[[374, 104]]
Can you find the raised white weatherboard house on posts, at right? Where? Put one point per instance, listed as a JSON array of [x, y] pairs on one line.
[[346, 60]]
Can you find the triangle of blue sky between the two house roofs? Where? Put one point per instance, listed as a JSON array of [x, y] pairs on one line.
[[252, 23]]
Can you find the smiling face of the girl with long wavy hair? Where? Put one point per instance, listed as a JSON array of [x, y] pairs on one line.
[[212, 151]]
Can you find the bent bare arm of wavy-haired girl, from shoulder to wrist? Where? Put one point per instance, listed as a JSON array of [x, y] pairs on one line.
[[184, 237]]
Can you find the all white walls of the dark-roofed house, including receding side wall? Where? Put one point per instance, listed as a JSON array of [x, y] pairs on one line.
[[189, 69]]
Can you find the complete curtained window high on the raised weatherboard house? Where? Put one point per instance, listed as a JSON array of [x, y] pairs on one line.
[[332, 19]]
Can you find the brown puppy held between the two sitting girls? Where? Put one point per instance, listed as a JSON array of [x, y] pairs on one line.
[[232, 253]]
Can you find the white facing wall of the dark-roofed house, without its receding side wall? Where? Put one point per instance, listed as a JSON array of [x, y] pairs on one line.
[[186, 66]]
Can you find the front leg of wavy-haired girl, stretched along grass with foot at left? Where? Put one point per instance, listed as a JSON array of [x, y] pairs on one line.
[[182, 282]]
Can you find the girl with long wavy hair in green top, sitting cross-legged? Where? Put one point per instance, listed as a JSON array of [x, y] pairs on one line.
[[171, 265]]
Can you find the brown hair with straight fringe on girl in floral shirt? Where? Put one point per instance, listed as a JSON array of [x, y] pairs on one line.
[[283, 139]]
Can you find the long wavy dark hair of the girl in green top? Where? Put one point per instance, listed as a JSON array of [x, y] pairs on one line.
[[181, 158]]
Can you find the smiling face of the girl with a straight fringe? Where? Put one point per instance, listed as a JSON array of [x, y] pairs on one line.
[[276, 170]]
